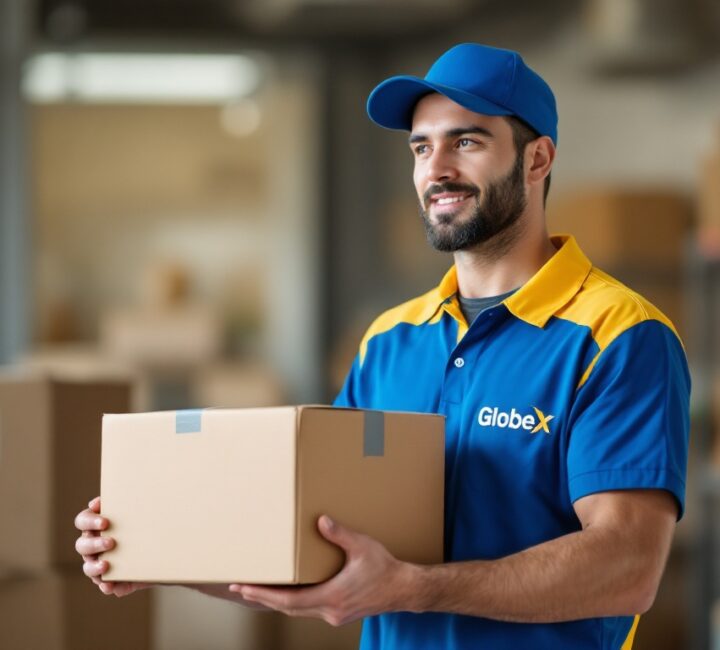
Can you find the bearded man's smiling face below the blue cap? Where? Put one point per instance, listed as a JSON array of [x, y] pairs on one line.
[[467, 175]]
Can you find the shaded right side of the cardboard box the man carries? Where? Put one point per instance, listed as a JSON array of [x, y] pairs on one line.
[[396, 497]]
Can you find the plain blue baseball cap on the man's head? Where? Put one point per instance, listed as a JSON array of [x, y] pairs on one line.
[[481, 78]]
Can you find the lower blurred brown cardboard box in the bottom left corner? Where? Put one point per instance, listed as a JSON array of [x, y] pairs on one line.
[[65, 611]]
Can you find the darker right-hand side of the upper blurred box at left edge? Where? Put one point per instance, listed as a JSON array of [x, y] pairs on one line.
[[77, 412]]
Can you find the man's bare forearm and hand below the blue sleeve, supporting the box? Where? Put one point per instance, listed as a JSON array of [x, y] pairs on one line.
[[611, 567]]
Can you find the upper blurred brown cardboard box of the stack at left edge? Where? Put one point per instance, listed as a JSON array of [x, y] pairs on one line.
[[49, 450]]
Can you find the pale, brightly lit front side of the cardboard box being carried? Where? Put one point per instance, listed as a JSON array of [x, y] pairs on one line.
[[221, 499]]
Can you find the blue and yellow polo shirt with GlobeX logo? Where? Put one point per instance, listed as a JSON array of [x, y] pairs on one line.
[[573, 385]]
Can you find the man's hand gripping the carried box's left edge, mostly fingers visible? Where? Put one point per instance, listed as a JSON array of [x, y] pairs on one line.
[[90, 546]]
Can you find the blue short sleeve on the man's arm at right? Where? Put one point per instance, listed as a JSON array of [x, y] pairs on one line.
[[629, 425]]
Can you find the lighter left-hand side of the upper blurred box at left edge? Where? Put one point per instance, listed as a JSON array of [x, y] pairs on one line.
[[25, 474]]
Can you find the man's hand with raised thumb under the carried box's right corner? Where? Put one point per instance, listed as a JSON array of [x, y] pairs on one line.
[[371, 582]]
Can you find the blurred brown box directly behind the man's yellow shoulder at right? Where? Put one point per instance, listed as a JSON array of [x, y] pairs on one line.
[[639, 236]]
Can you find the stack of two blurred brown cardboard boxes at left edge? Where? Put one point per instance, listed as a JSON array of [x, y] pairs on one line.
[[49, 459]]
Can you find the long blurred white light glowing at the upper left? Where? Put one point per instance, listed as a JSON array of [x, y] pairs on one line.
[[140, 78]]
